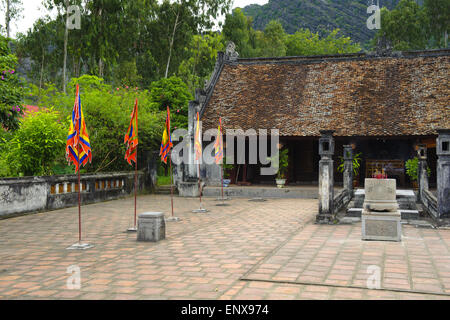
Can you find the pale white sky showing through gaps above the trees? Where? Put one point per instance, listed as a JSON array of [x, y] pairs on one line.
[[34, 10]]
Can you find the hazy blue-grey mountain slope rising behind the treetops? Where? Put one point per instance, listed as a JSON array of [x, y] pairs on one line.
[[318, 15]]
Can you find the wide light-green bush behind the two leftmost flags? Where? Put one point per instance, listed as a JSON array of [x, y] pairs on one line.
[[107, 112]]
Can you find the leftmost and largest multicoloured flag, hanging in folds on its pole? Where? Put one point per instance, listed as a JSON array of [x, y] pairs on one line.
[[78, 138]]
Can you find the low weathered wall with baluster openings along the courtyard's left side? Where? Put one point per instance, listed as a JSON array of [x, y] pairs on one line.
[[32, 194]]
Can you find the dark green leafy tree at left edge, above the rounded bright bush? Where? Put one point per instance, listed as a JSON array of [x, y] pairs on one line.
[[11, 91]]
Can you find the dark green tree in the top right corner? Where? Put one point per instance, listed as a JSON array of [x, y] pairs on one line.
[[438, 12]]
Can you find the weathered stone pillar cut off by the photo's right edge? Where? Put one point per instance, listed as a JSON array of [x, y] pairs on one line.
[[443, 172]]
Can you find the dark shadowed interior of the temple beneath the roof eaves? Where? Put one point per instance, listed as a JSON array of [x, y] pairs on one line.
[[388, 153]]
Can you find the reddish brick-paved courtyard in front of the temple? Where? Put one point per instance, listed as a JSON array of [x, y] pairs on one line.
[[248, 250]]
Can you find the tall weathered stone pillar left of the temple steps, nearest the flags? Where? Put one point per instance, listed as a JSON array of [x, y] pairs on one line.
[[326, 178]]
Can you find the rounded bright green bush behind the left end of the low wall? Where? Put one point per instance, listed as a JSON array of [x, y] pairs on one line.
[[36, 146]]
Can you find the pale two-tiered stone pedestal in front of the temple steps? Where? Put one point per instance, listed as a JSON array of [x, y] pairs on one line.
[[381, 217]]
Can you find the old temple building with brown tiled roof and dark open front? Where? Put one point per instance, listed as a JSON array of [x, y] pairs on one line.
[[383, 105]]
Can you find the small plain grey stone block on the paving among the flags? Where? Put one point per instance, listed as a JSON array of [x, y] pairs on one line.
[[151, 227]]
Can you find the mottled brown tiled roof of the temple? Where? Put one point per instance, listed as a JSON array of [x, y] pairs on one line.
[[356, 95]]
